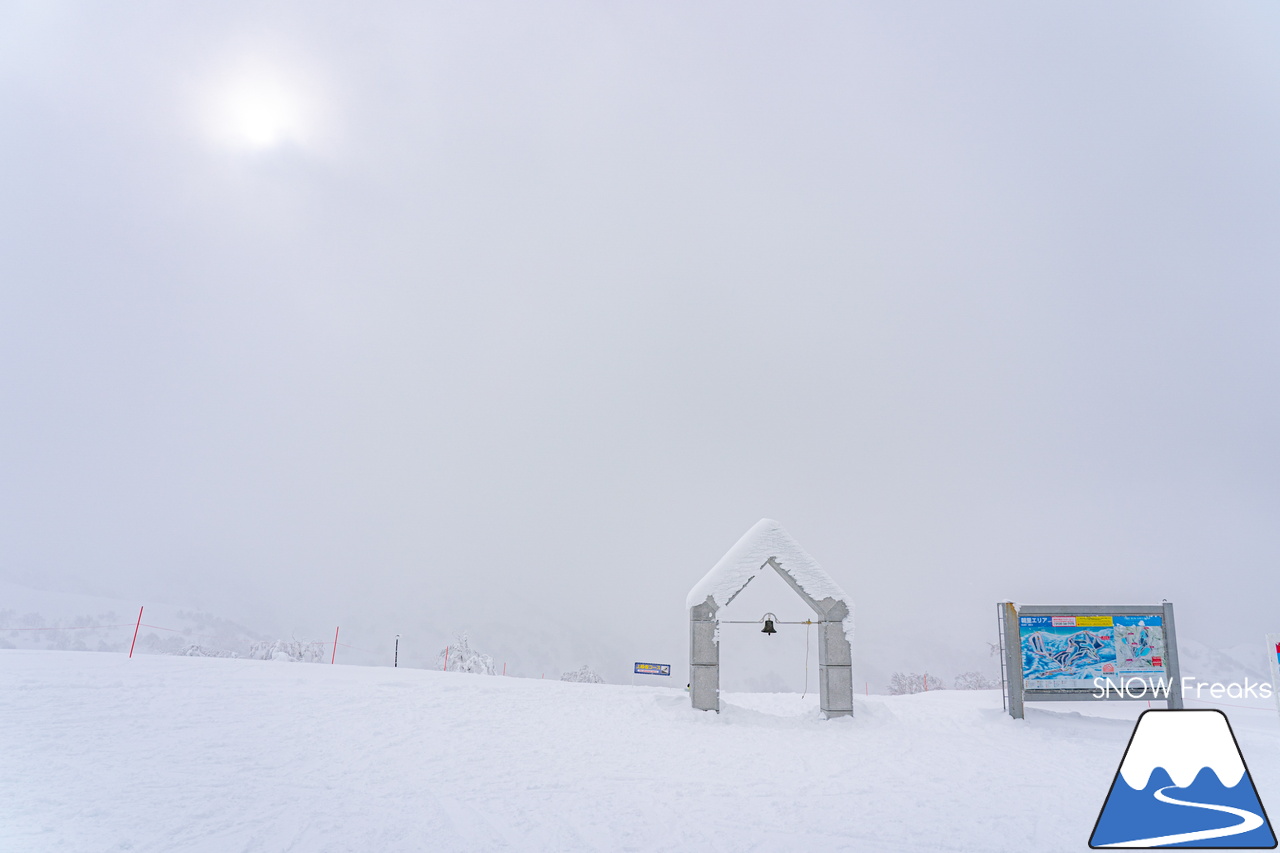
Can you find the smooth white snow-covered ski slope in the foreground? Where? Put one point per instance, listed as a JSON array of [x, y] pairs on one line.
[[158, 754]]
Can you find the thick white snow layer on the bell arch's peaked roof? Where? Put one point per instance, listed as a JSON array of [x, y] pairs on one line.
[[748, 558]]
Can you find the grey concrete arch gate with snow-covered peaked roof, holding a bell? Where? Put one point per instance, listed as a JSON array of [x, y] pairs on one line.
[[769, 546]]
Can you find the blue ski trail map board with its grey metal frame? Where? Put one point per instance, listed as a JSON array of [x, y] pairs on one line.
[[1089, 654]]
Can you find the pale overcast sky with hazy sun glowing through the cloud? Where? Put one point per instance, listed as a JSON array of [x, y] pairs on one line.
[[441, 317]]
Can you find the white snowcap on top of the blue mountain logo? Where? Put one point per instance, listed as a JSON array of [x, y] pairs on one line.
[[1183, 743]]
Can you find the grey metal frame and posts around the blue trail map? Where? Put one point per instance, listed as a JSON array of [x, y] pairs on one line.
[[1017, 695]]
